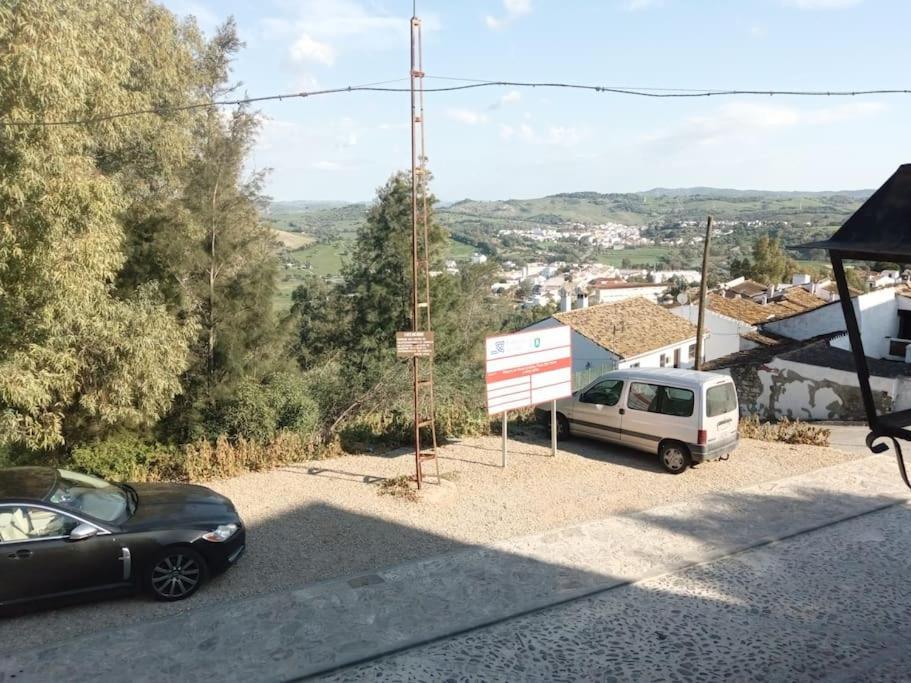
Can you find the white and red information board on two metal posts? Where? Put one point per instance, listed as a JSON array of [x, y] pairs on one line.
[[528, 368]]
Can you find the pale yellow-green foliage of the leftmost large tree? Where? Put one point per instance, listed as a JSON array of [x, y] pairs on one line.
[[71, 355]]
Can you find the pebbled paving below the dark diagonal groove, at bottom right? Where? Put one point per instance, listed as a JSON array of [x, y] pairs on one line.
[[831, 604]]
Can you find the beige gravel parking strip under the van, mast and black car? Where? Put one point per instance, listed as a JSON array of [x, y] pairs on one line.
[[325, 519]]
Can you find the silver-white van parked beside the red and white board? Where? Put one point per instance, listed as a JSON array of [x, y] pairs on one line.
[[685, 416]]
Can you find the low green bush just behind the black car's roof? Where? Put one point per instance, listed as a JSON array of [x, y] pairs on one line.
[[128, 458]]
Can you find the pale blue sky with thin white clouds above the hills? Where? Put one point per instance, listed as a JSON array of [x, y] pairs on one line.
[[499, 143]]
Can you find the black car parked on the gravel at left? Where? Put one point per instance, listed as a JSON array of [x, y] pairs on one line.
[[63, 534]]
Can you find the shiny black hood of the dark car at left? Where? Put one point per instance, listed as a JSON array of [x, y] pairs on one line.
[[179, 505]]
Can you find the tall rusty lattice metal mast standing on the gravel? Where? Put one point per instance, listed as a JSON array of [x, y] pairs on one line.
[[422, 368]]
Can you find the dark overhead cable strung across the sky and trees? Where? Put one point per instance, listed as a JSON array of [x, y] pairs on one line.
[[469, 84]]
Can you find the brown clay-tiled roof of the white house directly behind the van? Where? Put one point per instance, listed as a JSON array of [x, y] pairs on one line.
[[630, 327]]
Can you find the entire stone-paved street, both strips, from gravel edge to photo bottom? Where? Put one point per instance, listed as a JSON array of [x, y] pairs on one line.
[[697, 589]]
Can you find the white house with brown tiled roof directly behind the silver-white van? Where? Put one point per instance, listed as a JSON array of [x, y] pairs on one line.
[[630, 333]]
